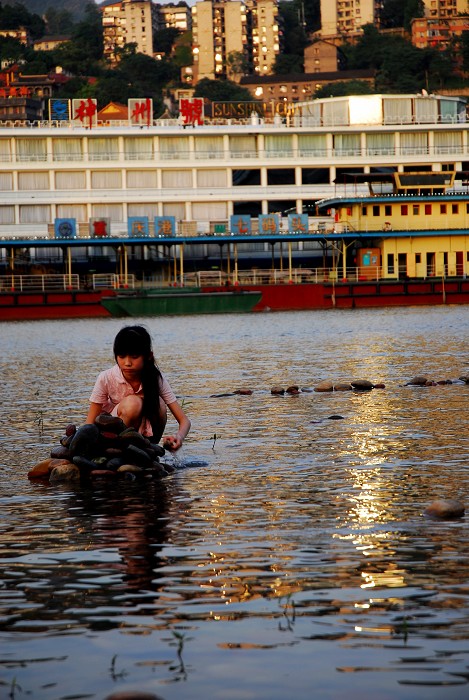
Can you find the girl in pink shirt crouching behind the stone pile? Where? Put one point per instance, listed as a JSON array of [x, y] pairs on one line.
[[135, 390]]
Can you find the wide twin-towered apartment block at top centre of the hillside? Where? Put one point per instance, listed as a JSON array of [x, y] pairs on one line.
[[222, 27]]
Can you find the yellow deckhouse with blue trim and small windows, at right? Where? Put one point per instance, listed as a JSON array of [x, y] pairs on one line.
[[412, 224]]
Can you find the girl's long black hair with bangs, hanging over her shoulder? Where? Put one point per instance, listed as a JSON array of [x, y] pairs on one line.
[[136, 340]]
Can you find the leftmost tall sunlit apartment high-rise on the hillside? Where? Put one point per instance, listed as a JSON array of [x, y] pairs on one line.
[[128, 22]]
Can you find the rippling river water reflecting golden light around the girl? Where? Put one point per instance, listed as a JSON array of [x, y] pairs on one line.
[[287, 557]]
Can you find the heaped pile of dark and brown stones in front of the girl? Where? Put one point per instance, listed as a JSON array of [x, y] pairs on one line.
[[105, 449]]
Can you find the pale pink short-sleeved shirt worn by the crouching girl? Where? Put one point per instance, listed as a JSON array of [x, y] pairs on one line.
[[111, 387]]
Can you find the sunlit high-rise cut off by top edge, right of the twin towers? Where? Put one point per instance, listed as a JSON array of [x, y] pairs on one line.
[[347, 16]]
